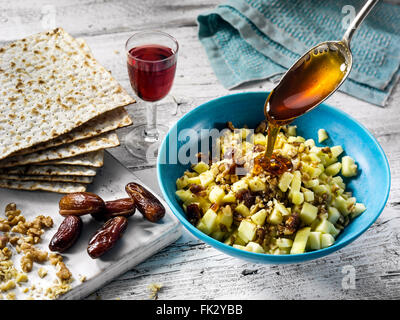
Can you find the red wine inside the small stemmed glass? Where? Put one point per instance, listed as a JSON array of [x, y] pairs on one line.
[[151, 70]]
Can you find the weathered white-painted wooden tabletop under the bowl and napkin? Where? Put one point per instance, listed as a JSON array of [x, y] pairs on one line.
[[190, 269]]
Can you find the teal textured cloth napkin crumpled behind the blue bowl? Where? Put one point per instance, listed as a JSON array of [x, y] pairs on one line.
[[248, 40]]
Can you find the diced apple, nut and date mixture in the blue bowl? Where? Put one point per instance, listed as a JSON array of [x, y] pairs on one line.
[[302, 209]]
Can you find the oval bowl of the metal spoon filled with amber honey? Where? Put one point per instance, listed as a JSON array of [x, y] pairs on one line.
[[310, 81]]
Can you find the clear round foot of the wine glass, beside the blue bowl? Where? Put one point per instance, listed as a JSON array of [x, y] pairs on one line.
[[144, 146]]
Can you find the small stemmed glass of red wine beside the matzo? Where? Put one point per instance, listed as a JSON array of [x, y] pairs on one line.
[[151, 61]]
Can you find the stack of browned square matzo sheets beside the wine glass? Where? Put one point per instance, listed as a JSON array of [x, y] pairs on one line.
[[59, 109]]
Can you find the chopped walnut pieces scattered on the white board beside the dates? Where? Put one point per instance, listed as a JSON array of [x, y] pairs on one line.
[[25, 235]]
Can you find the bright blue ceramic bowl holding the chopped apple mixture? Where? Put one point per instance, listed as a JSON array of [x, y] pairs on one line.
[[371, 186]]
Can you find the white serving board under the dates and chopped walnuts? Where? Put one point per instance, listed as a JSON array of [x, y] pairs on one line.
[[141, 240]]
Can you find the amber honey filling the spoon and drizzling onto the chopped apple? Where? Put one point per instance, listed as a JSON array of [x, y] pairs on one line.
[[313, 78]]
